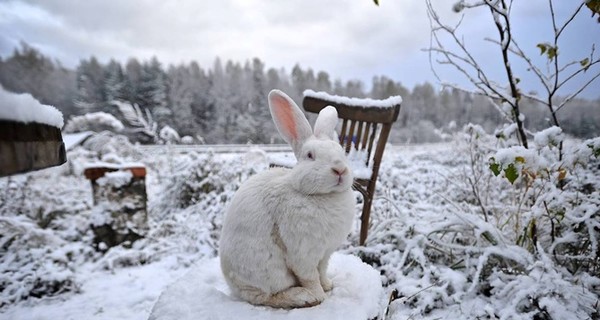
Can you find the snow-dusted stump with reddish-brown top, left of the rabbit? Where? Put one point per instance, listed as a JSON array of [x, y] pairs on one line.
[[119, 214]]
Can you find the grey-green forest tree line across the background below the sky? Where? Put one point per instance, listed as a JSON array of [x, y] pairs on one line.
[[226, 102]]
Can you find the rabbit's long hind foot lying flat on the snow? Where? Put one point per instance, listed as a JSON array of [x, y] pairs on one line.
[[294, 297]]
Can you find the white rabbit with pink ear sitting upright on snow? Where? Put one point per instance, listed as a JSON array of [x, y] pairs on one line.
[[282, 225]]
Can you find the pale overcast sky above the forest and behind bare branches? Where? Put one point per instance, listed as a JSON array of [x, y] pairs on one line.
[[350, 39]]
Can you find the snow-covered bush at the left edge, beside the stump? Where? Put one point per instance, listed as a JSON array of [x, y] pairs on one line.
[[43, 234]]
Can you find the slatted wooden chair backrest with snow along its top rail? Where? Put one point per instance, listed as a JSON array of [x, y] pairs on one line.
[[365, 123]]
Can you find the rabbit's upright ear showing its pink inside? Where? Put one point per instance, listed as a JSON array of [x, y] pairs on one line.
[[289, 120]]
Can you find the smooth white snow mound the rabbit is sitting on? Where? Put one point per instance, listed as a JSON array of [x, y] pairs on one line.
[[203, 294]]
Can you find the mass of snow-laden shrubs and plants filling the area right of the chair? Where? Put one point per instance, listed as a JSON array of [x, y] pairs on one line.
[[452, 240]]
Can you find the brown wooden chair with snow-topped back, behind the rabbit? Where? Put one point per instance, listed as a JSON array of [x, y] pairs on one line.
[[366, 125]]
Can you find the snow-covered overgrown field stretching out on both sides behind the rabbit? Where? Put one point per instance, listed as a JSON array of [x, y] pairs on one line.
[[439, 255]]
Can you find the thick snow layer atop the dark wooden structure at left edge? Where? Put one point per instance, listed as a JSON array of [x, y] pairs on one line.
[[25, 108]]
